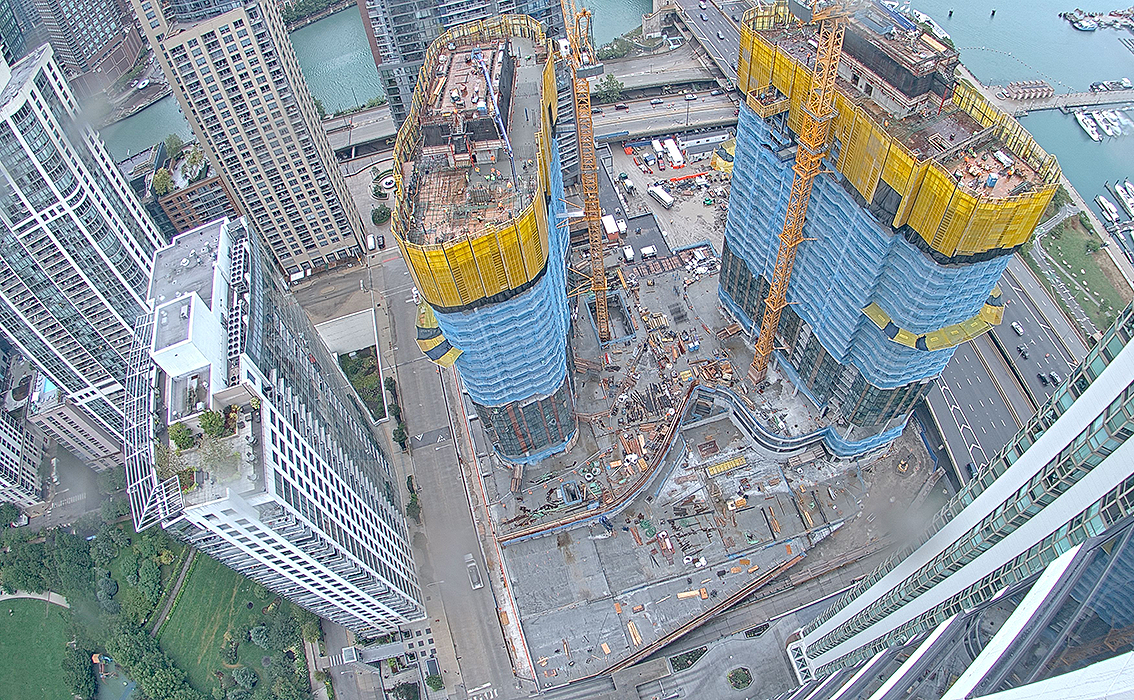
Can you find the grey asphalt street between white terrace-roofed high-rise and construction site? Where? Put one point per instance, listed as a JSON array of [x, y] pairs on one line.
[[448, 534]]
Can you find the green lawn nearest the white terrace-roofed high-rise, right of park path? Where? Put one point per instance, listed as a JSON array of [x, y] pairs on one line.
[[214, 602]]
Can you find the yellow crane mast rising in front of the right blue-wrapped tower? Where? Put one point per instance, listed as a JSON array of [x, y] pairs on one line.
[[815, 133]]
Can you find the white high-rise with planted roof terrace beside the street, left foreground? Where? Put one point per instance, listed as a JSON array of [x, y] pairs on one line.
[[297, 494]]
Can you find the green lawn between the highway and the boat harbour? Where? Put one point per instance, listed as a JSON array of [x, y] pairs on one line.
[[1093, 277]]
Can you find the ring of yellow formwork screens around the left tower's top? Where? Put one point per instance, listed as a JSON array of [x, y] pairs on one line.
[[496, 259]]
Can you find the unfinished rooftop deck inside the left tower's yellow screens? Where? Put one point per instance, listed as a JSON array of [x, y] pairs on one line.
[[462, 180]]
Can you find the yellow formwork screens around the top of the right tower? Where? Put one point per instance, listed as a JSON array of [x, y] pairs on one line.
[[952, 220]]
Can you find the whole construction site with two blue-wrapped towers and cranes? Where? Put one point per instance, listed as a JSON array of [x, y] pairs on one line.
[[648, 469]]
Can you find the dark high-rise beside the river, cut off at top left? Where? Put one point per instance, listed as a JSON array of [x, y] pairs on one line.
[[96, 41]]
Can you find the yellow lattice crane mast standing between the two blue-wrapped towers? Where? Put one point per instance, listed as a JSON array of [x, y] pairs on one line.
[[578, 26]]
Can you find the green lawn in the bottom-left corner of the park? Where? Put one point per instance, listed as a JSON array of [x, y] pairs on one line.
[[32, 643]]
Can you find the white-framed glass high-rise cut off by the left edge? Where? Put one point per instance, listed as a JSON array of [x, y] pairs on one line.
[[77, 249]]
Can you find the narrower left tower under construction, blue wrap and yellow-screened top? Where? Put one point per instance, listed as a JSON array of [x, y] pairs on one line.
[[480, 218]]
